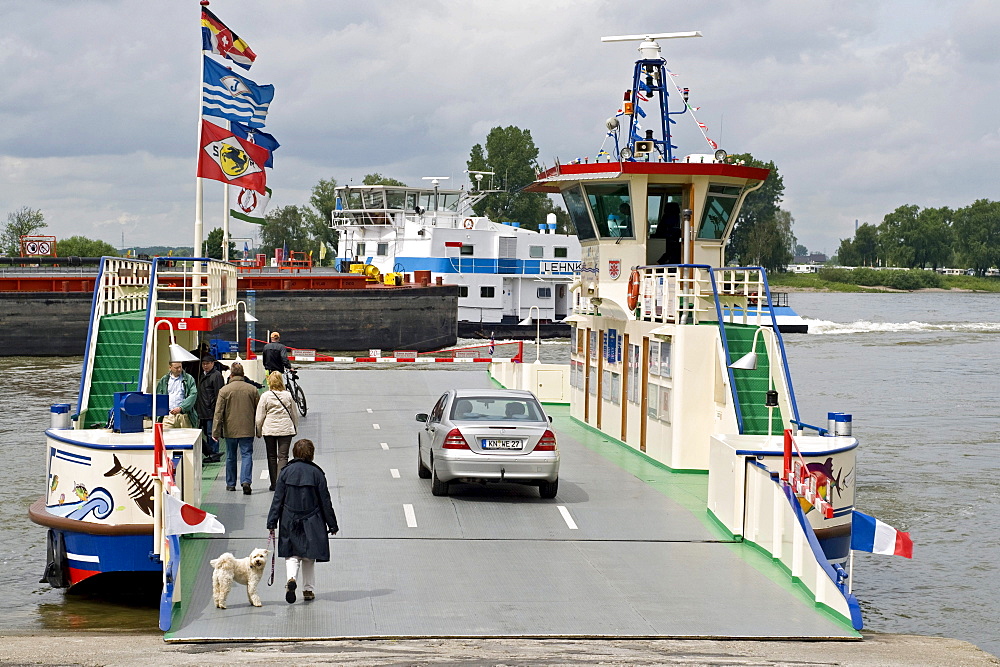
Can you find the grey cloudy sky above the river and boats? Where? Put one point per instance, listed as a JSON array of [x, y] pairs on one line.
[[863, 105]]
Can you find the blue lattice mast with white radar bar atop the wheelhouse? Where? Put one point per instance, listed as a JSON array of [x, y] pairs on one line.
[[649, 78]]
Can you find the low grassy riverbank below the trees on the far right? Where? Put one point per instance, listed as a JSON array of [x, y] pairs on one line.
[[846, 281]]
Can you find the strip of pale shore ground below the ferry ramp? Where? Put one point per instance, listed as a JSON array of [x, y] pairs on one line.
[[142, 649]]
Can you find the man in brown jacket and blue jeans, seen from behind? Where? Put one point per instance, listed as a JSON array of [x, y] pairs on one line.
[[235, 411]]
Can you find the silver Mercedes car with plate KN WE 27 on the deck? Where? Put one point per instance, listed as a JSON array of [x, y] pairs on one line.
[[488, 435]]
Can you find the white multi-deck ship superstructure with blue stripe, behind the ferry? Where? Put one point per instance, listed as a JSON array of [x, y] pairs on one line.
[[509, 276]]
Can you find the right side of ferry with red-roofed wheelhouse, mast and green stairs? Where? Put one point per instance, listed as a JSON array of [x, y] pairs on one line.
[[678, 356]]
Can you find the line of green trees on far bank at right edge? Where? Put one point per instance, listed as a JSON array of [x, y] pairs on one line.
[[918, 238]]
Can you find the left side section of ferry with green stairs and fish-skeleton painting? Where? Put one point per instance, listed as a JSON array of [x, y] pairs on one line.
[[107, 465]]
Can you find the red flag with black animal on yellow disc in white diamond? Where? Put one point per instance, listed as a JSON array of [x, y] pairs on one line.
[[227, 158]]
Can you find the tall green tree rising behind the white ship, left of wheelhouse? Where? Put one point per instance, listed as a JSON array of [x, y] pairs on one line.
[[511, 154]]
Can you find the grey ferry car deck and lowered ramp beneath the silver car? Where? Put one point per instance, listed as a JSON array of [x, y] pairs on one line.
[[626, 549]]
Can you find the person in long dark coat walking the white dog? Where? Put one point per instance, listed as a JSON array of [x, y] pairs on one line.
[[304, 510]]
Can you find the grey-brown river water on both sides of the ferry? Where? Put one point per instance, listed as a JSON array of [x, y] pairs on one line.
[[917, 372]]
